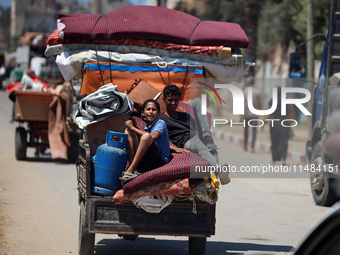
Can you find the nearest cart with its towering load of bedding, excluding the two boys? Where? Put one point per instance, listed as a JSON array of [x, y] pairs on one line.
[[123, 58]]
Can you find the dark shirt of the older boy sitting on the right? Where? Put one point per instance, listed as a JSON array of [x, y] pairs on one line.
[[181, 129]]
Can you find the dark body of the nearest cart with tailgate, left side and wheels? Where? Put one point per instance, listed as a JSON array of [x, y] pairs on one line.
[[102, 214]]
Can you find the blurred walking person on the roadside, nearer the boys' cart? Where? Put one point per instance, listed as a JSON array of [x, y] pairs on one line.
[[248, 115]]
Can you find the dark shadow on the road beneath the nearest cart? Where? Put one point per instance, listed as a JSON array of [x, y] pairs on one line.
[[152, 246]]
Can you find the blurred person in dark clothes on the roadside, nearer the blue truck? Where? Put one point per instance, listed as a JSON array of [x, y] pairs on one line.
[[279, 135]]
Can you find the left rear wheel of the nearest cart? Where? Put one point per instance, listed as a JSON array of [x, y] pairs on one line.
[[85, 240]]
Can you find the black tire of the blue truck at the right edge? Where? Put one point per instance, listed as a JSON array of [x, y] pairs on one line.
[[326, 197]]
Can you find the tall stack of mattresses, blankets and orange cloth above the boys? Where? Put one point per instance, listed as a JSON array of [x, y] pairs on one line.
[[160, 45]]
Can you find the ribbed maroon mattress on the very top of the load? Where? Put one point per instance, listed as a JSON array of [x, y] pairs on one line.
[[151, 23]]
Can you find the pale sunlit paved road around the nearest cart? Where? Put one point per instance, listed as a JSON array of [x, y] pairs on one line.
[[39, 210]]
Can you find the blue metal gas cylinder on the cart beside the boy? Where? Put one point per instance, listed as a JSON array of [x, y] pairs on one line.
[[110, 162]]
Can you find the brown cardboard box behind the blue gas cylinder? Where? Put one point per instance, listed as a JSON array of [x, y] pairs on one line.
[[96, 132]]
